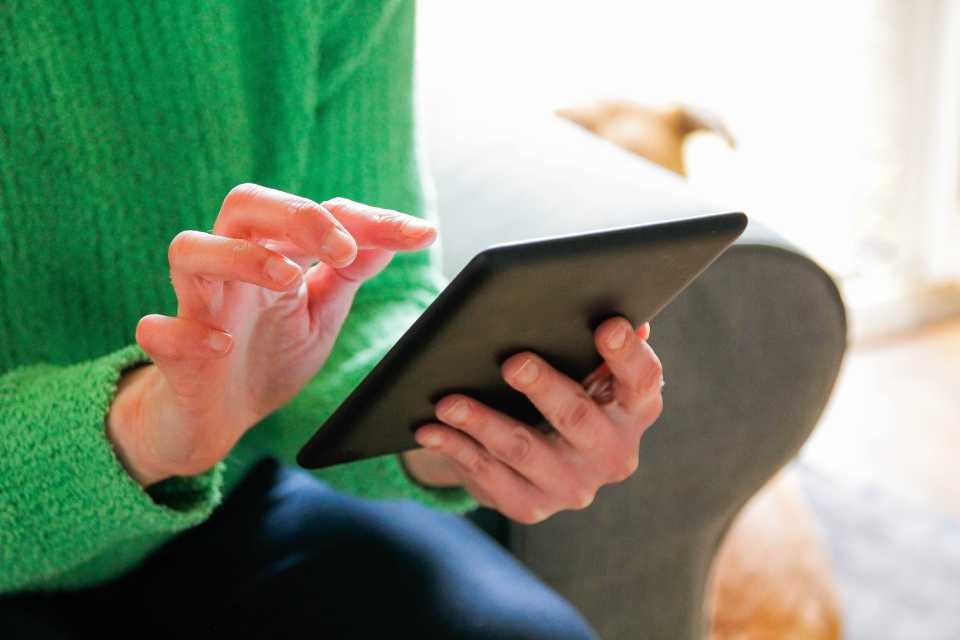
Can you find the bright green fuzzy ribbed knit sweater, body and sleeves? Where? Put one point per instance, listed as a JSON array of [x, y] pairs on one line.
[[122, 123]]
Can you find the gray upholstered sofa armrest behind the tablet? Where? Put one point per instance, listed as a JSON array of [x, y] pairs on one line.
[[750, 354]]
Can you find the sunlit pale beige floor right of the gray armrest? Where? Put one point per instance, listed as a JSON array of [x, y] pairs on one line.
[[894, 418]]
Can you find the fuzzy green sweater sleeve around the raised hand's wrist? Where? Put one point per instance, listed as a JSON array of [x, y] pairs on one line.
[[65, 498]]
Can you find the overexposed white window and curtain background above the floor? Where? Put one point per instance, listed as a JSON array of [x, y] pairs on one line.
[[846, 114]]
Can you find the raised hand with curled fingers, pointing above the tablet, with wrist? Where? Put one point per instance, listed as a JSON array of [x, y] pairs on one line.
[[255, 322]]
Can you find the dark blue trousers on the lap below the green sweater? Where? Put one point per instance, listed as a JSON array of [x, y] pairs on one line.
[[287, 556]]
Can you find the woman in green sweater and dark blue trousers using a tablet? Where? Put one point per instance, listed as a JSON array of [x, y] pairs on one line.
[[145, 460]]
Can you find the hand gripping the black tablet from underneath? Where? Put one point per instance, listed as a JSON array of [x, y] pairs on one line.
[[528, 475]]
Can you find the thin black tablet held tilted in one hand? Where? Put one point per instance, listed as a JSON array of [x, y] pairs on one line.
[[546, 295]]
